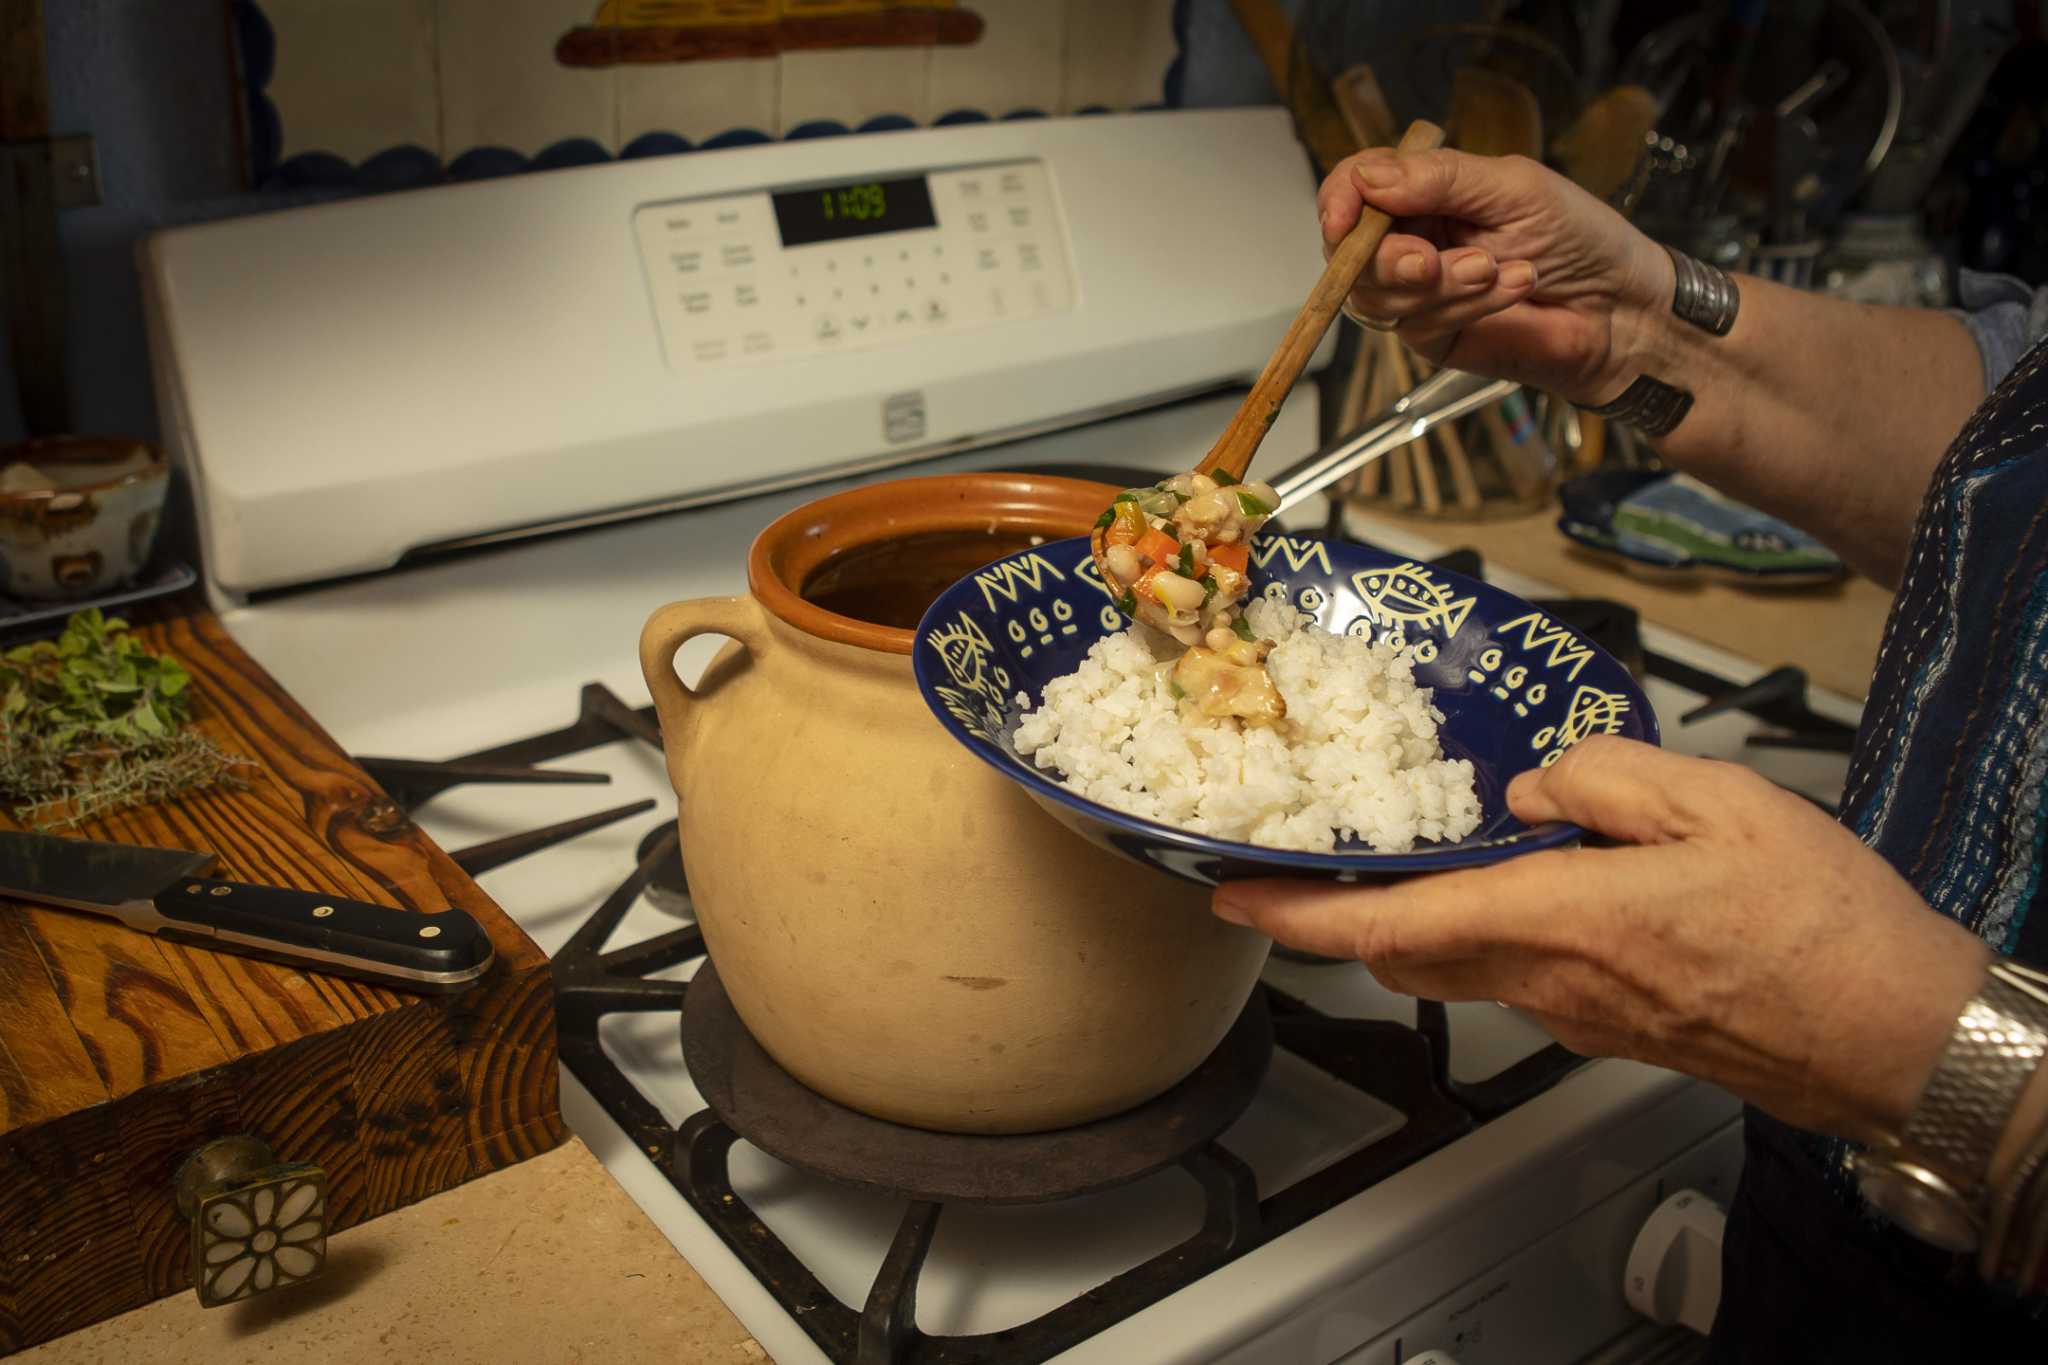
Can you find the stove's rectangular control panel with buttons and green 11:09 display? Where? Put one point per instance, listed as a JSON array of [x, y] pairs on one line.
[[851, 265]]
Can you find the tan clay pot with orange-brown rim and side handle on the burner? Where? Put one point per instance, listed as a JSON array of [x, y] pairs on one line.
[[898, 924]]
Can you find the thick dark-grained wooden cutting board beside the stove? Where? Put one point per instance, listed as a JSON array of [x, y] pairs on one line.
[[122, 1055]]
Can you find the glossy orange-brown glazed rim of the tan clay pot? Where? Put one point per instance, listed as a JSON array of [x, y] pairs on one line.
[[796, 545]]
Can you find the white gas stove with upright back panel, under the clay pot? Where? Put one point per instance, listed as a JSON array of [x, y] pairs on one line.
[[435, 371]]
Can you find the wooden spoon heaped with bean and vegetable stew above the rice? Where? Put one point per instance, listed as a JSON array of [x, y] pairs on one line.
[[1179, 556]]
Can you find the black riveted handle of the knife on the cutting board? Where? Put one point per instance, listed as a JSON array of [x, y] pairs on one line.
[[329, 934]]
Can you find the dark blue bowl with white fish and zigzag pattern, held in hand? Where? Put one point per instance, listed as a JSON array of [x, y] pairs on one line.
[[1517, 691]]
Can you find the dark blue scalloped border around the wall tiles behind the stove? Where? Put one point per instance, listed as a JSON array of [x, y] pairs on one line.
[[402, 169]]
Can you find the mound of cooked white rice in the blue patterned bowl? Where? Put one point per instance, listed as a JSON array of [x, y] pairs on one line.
[[1357, 754]]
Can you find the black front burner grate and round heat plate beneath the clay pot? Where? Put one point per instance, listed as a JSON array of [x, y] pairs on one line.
[[751, 1096]]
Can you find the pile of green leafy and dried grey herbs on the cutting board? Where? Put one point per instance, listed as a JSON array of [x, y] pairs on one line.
[[95, 723]]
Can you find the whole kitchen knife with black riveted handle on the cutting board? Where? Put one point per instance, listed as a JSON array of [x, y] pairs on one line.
[[167, 893]]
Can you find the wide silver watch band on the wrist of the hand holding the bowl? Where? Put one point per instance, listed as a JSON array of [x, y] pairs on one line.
[[2000, 1039]]
